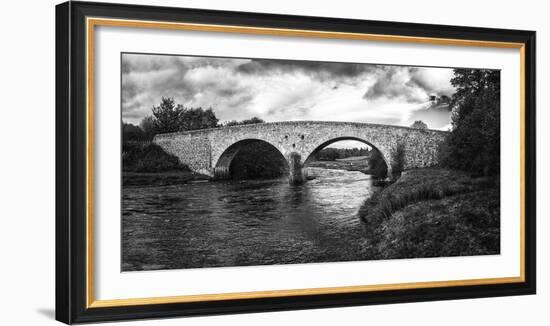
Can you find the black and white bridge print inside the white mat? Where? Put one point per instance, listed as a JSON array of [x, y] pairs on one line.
[[244, 162]]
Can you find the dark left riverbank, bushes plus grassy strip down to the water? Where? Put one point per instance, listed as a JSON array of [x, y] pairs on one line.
[[145, 163]]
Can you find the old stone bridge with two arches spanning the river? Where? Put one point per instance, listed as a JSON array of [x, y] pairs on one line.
[[210, 151]]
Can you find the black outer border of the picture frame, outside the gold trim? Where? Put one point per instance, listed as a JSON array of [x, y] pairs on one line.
[[71, 161]]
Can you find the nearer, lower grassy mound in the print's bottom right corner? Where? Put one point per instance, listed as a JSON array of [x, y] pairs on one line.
[[466, 224]]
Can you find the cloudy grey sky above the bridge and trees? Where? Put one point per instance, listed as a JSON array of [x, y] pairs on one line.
[[281, 90]]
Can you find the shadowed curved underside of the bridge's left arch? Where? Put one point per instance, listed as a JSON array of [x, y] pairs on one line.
[[223, 168]]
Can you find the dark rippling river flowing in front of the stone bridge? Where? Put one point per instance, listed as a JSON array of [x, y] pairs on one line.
[[242, 223]]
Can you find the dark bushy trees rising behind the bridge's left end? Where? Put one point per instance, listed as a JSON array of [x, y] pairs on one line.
[[171, 117]]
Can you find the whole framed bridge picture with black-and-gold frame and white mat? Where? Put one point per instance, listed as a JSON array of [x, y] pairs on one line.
[[214, 162]]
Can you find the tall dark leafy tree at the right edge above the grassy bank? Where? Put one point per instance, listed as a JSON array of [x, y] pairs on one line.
[[474, 142]]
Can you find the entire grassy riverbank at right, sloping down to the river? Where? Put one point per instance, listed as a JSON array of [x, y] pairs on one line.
[[433, 213]]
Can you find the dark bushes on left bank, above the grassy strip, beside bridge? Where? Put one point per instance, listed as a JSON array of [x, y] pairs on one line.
[[148, 157]]
